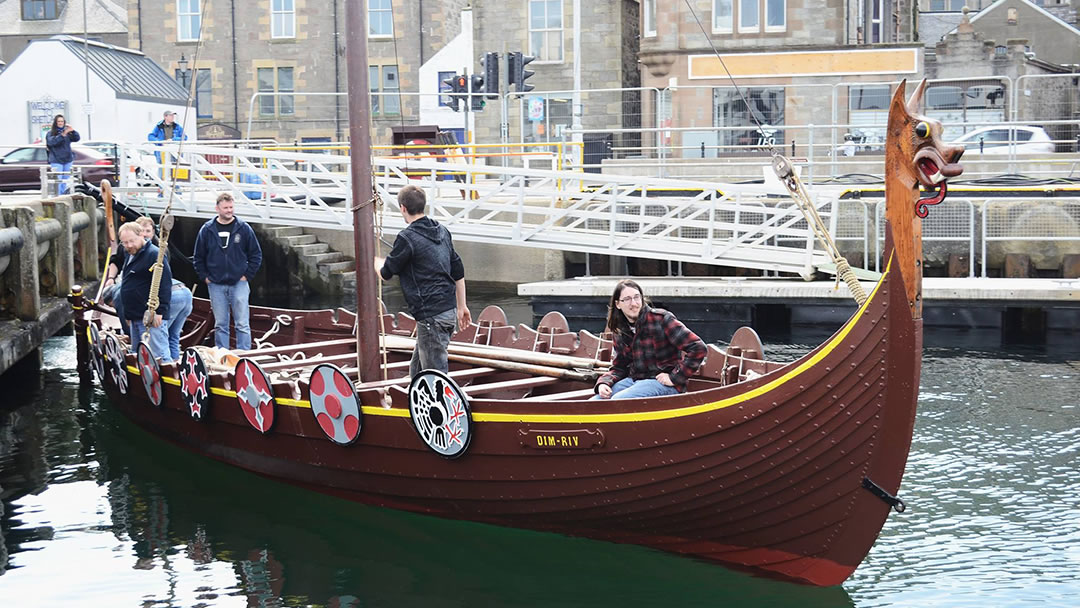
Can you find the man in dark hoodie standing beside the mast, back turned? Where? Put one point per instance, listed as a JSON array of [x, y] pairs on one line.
[[433, 278]]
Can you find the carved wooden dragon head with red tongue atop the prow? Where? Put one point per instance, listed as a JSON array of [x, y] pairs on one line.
[[917, 155]]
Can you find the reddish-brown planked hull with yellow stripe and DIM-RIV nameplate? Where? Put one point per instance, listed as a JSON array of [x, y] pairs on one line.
[[765, 475]]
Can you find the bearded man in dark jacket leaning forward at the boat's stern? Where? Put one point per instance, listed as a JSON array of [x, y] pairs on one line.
[[136, 285]]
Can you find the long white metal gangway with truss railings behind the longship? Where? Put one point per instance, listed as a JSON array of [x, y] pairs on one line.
[[748, 226]]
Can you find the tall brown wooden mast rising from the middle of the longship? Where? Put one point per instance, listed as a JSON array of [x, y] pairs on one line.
[[363, 221]]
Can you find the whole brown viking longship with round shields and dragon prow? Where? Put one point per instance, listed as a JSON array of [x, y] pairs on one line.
[[786, 469]]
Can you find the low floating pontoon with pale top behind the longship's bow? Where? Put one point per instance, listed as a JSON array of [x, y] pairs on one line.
[[1033, 307]]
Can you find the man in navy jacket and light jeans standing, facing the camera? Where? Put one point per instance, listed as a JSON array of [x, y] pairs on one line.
[[227, 255]]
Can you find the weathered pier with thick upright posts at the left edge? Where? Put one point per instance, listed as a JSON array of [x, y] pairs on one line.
[[45, 248]]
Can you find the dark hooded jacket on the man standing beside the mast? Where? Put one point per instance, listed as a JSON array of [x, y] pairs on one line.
[[425, 259]]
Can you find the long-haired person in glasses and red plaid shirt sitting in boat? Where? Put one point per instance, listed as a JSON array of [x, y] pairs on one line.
[[655, 355]]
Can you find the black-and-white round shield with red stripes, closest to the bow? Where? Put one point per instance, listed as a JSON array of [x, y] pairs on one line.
[[440, 413]]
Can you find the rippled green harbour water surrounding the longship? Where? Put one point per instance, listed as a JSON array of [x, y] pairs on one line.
[[96, 512]]
